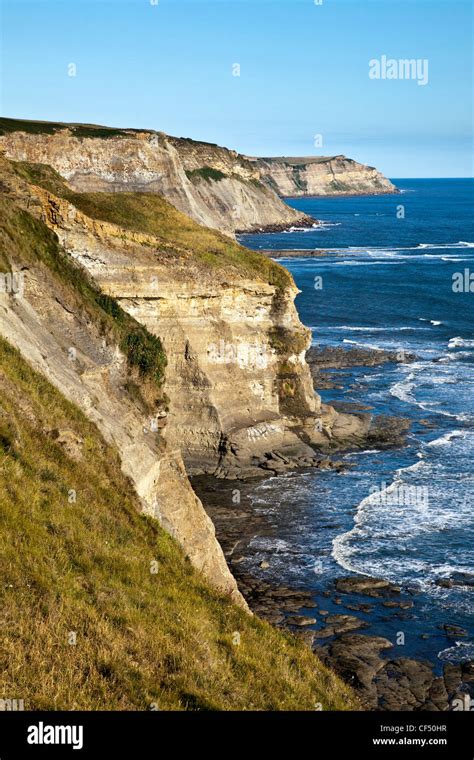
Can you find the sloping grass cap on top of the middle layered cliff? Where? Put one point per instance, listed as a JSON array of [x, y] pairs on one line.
[[175, 232]]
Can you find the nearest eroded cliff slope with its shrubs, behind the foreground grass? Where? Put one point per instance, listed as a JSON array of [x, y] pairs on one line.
[[78, 340]]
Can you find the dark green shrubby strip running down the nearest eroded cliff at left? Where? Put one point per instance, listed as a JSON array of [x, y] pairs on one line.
[[26, 240]]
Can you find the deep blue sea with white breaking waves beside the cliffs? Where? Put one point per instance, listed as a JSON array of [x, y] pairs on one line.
[[403, 514]]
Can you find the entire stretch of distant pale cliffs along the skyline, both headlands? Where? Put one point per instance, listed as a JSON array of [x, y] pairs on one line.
[[217, 187]]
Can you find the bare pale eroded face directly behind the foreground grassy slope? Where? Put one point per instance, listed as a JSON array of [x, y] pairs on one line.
[[48, 325]]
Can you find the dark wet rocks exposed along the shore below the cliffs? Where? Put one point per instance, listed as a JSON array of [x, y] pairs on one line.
[[330, 621]]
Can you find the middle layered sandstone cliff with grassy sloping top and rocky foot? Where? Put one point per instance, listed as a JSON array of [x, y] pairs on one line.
[[241, 398]]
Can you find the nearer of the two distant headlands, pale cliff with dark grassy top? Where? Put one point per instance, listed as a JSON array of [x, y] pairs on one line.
[[216, 187]]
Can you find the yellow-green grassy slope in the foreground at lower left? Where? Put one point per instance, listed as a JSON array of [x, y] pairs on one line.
[[86, 624]]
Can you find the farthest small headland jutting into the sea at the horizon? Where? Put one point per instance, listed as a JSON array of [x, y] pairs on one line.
[[335, 175]]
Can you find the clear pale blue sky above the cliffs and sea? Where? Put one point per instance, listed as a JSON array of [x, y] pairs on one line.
[[304, 71]]
